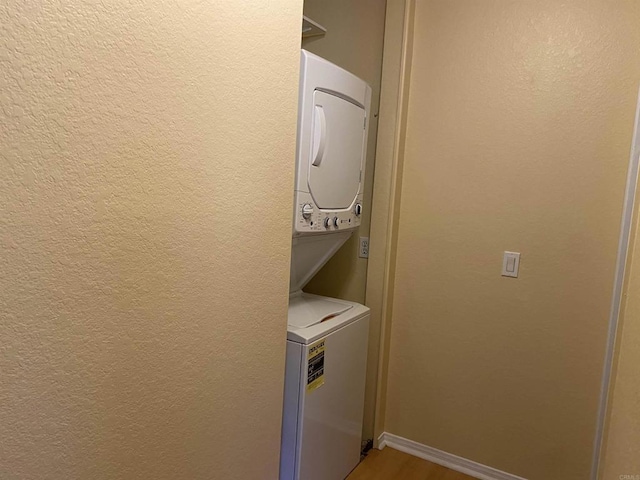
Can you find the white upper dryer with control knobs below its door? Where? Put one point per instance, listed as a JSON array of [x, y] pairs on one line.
[[333, 118]]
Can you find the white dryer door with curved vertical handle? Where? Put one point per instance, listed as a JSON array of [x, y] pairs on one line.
[[336, 151]]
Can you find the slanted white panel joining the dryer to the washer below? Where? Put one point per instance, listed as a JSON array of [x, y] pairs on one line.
[[310, 253]]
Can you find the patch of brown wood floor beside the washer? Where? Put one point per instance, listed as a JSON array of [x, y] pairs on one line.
[[390, 464]]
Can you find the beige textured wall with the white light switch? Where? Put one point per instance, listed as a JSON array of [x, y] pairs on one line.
[[518, 136]]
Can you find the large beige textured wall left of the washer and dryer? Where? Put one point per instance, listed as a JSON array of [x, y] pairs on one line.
[[143, 293]]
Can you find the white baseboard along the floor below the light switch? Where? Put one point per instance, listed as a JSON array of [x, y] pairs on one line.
[[453, 462]]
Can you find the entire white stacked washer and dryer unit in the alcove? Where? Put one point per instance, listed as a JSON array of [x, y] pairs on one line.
[[327, 338]]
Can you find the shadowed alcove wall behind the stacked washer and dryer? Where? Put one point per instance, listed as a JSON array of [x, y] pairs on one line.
[[354, 40]]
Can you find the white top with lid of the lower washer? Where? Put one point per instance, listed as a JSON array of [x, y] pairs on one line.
[[313, 309]]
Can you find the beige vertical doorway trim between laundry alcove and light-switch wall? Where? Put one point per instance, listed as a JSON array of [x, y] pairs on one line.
[[386, 190]]
